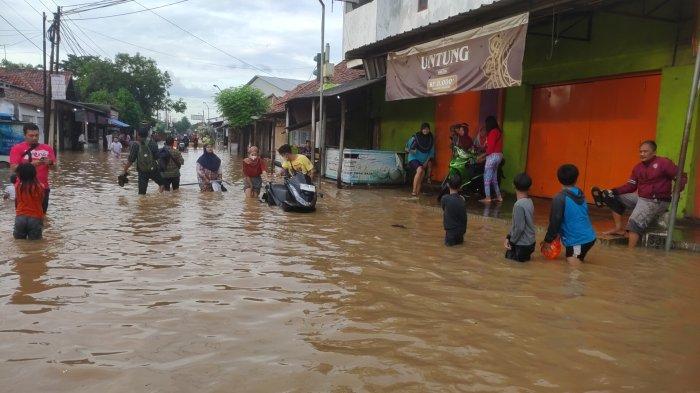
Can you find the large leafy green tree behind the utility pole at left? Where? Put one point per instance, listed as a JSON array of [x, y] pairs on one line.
[[146, 85]]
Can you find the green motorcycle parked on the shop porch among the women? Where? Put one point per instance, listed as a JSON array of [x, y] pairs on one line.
[[464, 163]]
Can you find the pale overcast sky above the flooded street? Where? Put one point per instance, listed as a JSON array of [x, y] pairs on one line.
[[279, 36]]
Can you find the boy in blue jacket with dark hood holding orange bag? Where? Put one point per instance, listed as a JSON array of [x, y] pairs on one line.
[[569, 217]]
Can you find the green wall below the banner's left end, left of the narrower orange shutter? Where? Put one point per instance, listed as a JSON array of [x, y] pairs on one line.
[[400, 119]]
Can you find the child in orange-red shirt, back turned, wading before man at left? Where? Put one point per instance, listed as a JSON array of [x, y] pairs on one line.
[[29, 220]]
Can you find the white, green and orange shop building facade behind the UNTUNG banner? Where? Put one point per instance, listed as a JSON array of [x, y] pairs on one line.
[[597, 79]]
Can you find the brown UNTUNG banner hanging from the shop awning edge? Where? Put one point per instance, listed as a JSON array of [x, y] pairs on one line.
[[488, 57]]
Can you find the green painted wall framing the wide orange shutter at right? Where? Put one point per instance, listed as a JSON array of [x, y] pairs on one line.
[[618, 45]]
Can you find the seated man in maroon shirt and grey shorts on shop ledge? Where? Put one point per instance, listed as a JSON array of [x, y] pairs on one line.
[[652, 179]]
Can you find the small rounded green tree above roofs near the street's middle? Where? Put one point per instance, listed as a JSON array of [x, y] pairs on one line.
[[239, 104]]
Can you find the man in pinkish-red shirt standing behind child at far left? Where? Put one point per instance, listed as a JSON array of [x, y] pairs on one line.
[[38, 154]]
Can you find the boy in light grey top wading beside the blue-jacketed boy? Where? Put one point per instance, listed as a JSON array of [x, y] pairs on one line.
[[520, 242]]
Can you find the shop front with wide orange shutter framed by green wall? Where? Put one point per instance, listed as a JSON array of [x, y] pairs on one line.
[[616, 78]]
